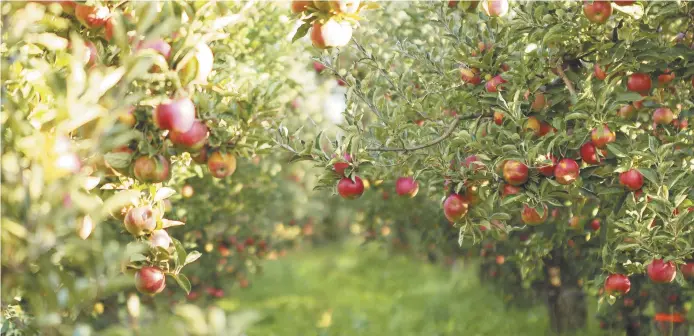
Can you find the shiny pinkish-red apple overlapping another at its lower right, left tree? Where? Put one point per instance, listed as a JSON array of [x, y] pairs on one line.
[[175, 115]]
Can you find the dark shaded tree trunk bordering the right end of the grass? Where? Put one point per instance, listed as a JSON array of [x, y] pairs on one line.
[[566, 302]]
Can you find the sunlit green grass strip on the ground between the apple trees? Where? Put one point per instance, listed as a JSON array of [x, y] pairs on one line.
[[361, 291]]
